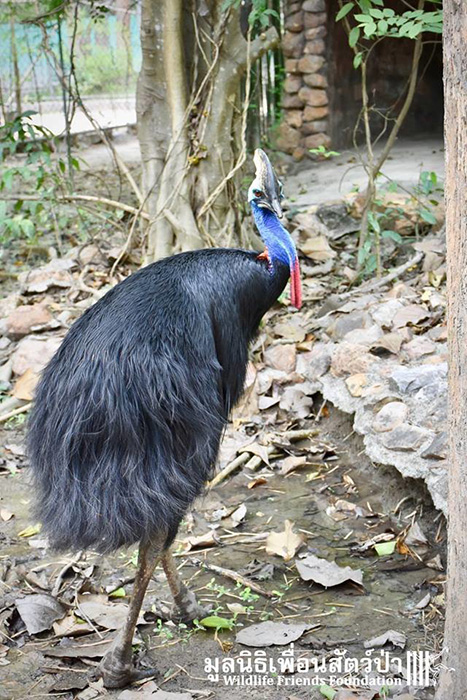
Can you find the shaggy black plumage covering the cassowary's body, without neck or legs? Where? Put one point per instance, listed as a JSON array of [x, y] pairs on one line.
[[129, 413]]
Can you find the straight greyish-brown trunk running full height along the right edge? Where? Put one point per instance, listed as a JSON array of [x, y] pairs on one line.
[[453, 679]]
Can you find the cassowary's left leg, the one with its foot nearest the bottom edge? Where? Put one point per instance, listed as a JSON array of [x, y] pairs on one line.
[[116, 667]]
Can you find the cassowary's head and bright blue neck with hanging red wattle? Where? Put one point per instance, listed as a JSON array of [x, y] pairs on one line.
[[265, 196]]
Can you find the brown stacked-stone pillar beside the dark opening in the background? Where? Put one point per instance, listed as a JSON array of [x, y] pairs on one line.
[[305, 99]]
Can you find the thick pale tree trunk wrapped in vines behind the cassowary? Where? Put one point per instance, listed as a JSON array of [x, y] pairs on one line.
[[191, 121]]
